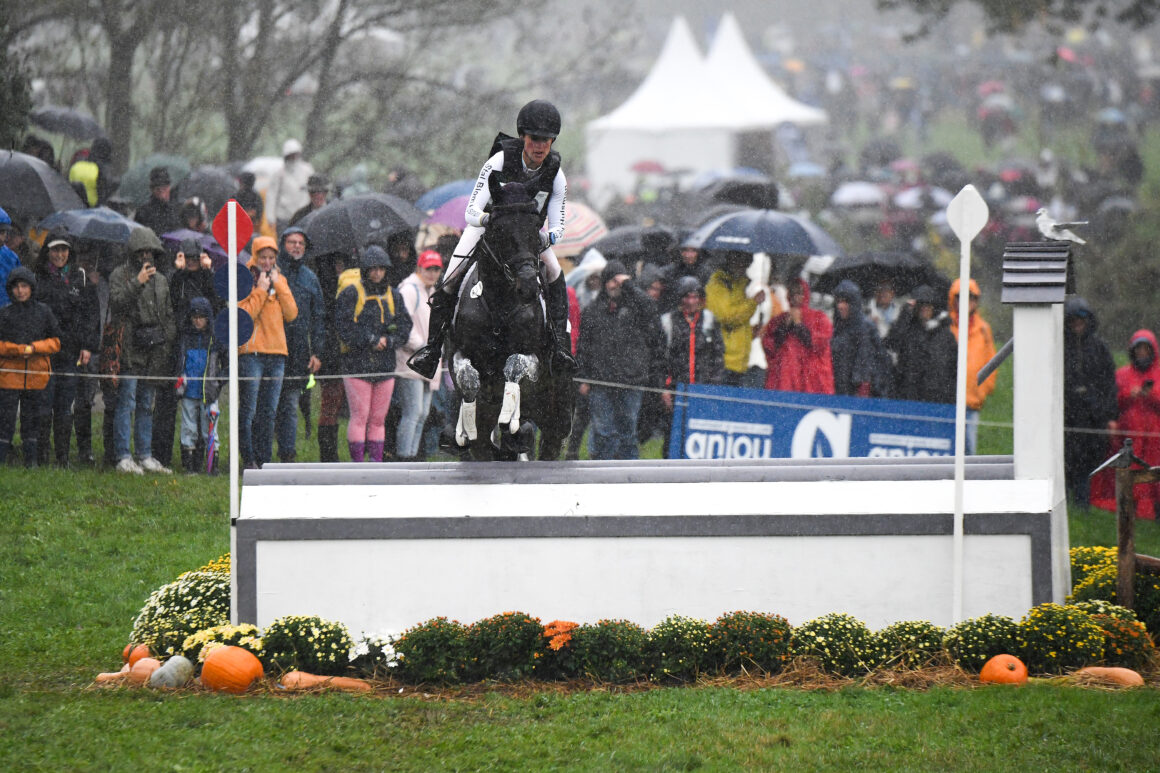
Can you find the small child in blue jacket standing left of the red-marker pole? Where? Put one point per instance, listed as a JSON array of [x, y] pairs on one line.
[[198, 382]]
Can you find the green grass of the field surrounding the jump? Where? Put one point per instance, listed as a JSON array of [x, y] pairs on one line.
[[84, 550]]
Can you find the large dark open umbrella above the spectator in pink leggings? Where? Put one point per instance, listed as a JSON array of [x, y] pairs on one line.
[[349, 225]]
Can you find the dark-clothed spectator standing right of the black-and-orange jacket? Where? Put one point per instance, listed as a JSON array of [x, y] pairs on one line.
[[63, 286]]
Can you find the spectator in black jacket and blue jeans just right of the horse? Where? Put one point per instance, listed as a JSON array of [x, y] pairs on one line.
[[623, 346]]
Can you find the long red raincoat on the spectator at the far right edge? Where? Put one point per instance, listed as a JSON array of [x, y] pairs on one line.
[[1140, 420]]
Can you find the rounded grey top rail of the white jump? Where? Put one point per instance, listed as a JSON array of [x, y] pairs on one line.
[[929, 468]]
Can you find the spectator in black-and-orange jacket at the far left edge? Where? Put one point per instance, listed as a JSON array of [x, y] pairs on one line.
[[30, 336]]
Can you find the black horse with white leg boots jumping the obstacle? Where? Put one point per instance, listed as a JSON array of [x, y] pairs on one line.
[[502, 359]]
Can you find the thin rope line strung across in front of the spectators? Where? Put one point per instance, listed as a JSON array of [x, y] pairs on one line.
[[654, 391]]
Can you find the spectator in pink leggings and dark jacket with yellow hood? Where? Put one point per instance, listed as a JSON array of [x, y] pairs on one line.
[[372, 323]]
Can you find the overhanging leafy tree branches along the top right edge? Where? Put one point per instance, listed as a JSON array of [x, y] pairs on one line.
[[1012, 16]]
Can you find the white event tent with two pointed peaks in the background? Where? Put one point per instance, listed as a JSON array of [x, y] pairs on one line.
[[691, 114]]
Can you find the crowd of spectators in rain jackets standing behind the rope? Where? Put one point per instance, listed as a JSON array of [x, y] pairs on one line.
[[135, 333]]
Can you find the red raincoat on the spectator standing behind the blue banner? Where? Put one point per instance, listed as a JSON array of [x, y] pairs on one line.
[[799, 356]]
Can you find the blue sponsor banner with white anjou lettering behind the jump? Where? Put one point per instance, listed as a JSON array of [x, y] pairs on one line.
[[734, 423]]
